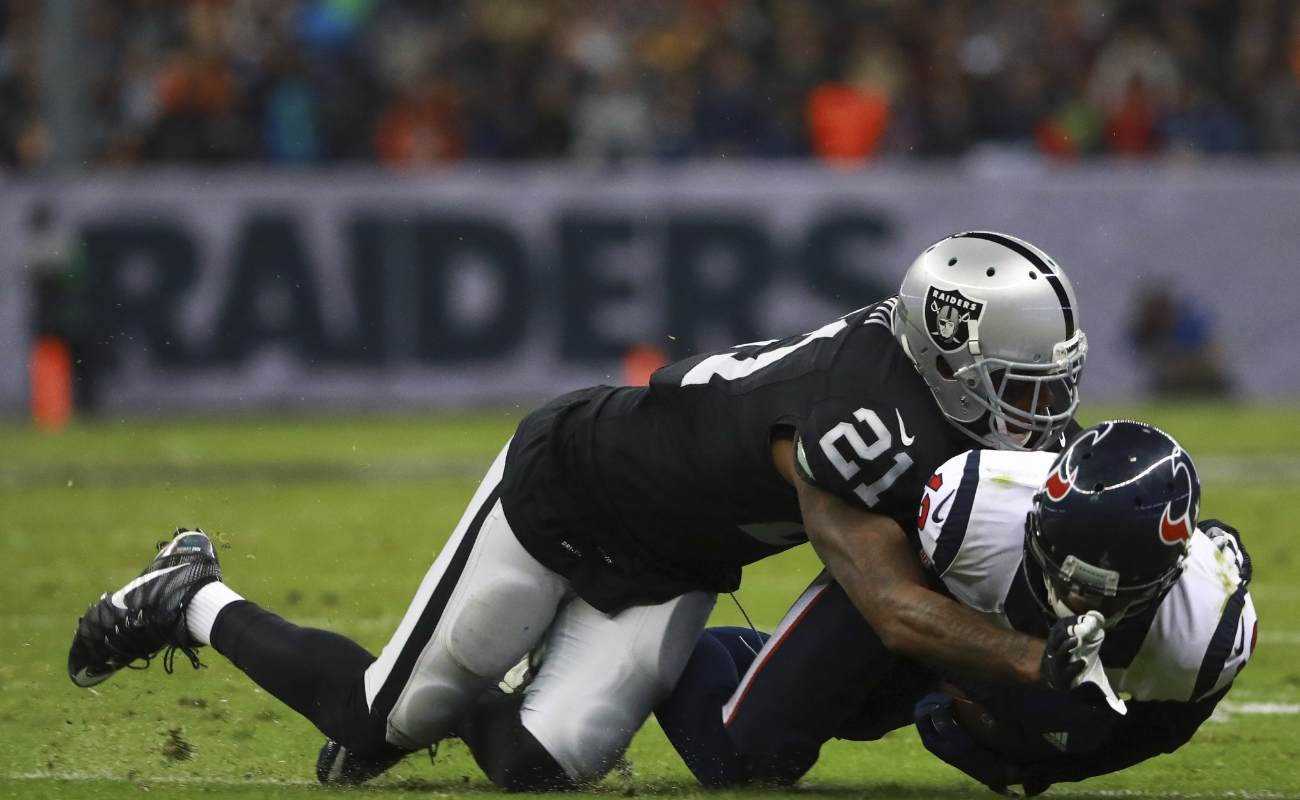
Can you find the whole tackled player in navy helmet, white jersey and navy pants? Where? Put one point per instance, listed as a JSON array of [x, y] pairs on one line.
[[1107, 530]]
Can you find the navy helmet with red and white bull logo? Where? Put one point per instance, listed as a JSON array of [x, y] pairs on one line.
[[1113, 522]]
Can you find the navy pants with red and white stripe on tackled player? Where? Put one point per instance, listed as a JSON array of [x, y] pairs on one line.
[[738, 717]]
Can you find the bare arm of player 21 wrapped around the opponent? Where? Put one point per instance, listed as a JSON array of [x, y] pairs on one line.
[[870, 557]]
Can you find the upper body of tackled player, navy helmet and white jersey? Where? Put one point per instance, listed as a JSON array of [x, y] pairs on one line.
[[1108, 527]]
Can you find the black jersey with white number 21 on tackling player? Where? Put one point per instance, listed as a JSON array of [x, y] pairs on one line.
[[638, 495]]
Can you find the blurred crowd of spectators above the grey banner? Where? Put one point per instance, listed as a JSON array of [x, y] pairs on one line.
[[410, 84]]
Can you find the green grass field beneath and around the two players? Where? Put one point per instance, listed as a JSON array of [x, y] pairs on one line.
[[333, 522]]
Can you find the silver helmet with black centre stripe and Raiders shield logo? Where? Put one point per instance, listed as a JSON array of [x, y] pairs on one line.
[[993, 325]]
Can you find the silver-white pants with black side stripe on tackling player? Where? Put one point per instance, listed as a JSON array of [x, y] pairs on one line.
[[486, 604]]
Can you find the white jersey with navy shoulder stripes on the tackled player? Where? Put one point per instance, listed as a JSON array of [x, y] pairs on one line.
[[972, 530]]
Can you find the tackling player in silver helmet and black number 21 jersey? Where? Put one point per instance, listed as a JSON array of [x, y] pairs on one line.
[[614, 517]]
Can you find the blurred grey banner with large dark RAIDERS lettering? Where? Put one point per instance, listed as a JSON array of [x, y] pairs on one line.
[[252, 291]]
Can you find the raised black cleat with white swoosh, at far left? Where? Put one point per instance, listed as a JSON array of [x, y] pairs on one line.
[[148, 615]]
